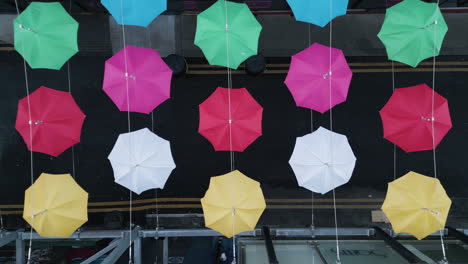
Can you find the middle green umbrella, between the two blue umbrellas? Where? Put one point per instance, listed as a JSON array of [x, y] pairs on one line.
[[241, 31]]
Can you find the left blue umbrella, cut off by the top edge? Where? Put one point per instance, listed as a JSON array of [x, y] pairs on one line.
[[135, 12]]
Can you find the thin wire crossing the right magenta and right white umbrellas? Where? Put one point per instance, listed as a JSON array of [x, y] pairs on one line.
[[330, 75]]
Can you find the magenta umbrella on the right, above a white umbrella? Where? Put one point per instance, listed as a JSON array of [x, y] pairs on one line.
[[309, 77]]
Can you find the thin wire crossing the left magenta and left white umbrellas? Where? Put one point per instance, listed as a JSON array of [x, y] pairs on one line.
[[129, 130]]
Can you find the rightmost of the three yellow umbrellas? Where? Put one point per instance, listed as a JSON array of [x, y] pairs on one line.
[[417, 205]]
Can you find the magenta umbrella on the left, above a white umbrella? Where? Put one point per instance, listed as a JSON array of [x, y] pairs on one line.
[[147, 78]]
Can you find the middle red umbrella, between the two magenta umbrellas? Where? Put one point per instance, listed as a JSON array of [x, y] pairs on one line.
[[244, 118]]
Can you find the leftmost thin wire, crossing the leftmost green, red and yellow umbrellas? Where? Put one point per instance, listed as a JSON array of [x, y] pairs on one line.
[[31, 157]]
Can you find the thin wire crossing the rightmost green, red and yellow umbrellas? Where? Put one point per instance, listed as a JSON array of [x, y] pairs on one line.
[[444, 260]]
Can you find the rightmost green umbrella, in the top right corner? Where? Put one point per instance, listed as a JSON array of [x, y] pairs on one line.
[[410, 30]]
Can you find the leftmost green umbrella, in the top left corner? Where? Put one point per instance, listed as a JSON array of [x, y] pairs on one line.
[[46, 35]]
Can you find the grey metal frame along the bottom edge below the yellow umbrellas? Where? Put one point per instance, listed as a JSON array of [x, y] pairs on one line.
[[121, 241]]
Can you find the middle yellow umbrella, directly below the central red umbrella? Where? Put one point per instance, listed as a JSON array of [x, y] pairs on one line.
[[233, 204]]
